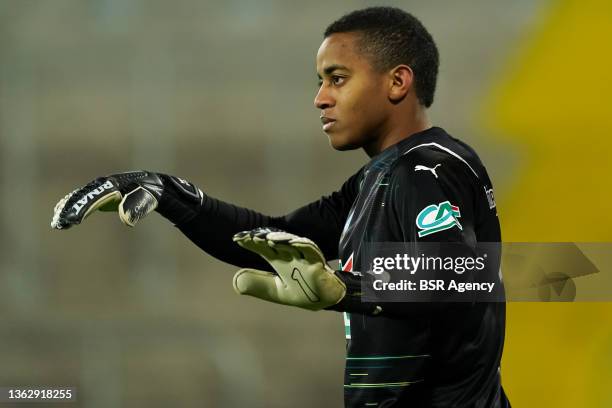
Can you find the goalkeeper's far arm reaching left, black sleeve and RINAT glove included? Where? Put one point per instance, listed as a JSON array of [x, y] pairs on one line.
[[208, 222]]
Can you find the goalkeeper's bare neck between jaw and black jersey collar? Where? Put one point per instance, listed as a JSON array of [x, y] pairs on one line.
[[400, 129]]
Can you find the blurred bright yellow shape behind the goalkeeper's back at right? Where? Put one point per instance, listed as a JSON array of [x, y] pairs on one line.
[[552, 105]]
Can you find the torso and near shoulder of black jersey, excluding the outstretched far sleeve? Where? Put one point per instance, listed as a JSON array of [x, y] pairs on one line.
[[442, 356]]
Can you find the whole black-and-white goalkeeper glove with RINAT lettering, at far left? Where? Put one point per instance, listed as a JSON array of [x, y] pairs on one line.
[[134, 195]]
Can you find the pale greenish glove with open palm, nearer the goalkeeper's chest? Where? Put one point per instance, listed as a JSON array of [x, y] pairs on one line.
[[302, 276]]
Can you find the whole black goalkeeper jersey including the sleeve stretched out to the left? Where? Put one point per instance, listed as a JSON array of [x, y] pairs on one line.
[[414, 354]]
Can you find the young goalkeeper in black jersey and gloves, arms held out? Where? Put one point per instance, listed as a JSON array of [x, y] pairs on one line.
[[377, 70]]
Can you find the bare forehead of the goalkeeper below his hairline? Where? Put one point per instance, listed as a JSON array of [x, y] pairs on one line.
[[340, 49]]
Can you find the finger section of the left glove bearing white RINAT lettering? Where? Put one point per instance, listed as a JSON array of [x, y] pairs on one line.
[[79, 204]]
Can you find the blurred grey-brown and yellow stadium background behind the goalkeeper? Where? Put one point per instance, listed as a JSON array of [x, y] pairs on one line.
[[220, 92]]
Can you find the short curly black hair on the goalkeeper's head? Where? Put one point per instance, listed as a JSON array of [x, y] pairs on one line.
[[391, 36]]
